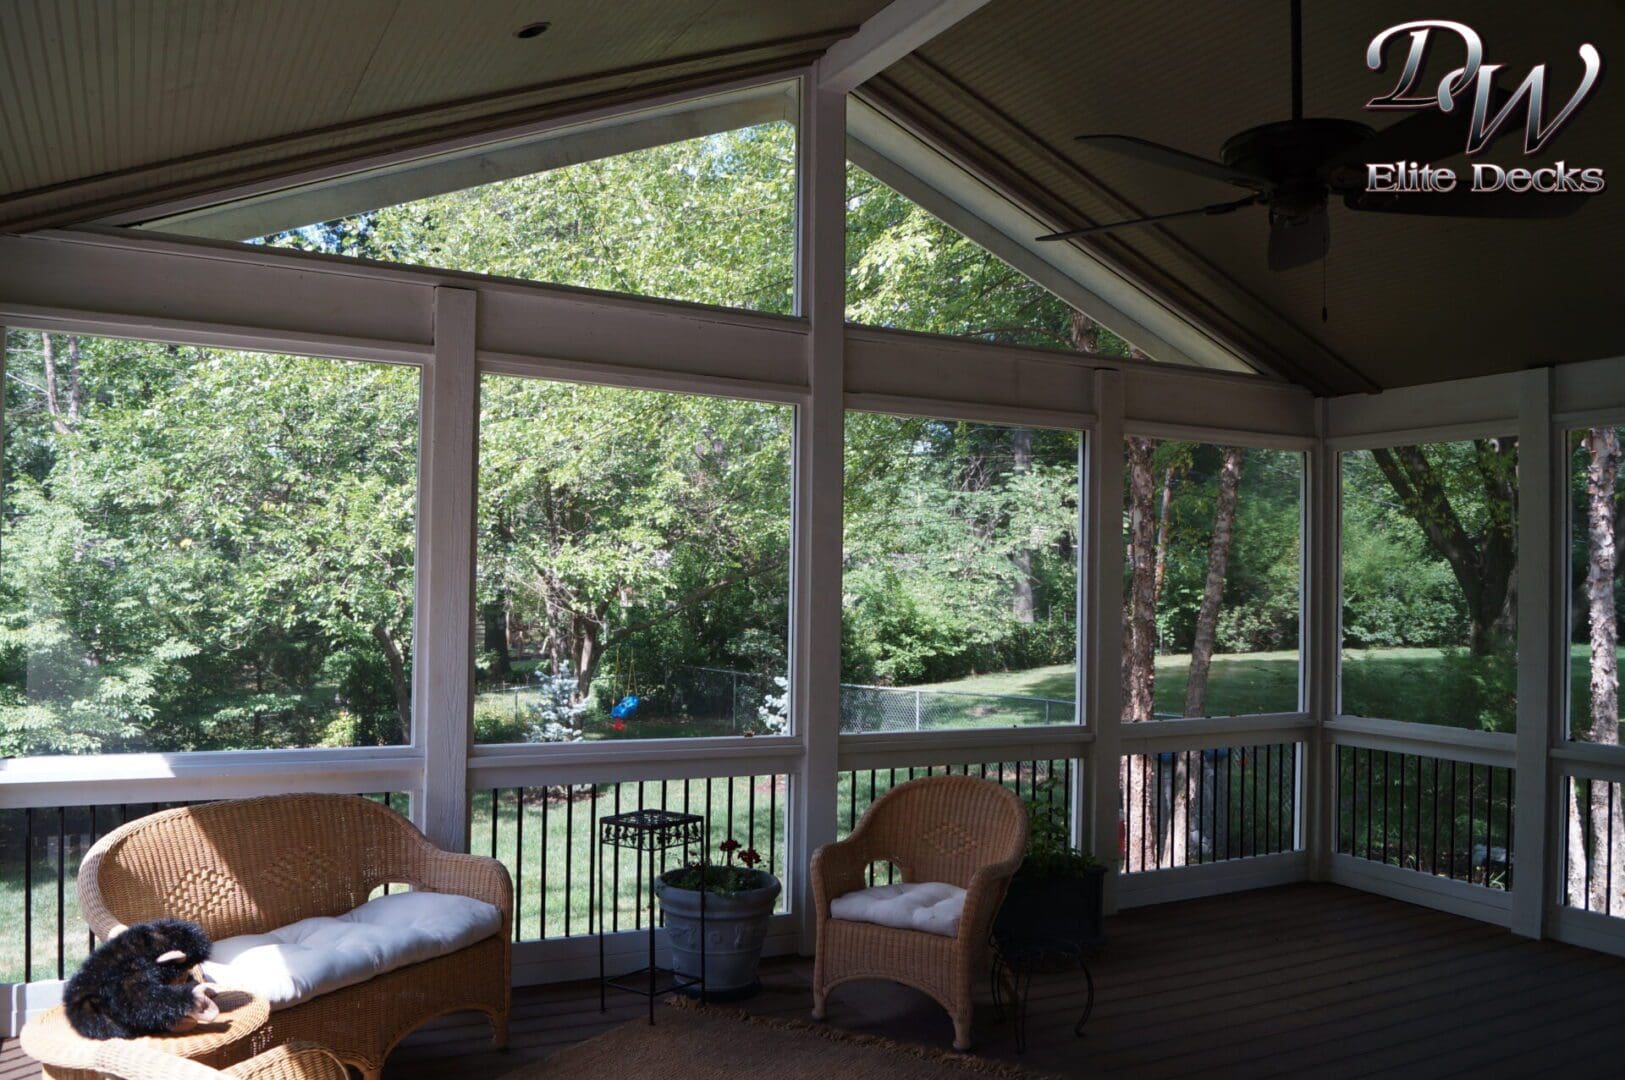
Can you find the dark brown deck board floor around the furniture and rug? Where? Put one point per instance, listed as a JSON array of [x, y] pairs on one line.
[[1285, 982]]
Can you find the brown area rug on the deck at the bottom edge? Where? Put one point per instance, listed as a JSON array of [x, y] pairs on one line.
[[717, 1043]]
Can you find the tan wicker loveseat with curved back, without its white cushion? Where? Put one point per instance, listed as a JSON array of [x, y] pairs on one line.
[[249, 866]]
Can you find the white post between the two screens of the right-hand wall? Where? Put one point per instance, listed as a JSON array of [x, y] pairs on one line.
[[1541, 634]]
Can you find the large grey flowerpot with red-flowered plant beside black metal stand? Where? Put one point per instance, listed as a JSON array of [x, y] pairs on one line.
[[739, 904]]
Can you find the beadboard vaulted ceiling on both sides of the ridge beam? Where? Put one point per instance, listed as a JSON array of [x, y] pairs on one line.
[[105, 105]]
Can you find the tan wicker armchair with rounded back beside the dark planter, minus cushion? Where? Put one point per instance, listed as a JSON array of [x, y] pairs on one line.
[[960, 831]]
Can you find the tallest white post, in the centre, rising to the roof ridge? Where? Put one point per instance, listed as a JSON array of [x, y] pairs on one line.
[[818, 486]]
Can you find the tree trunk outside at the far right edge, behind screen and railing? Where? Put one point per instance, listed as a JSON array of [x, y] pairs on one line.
[[1606, 827]]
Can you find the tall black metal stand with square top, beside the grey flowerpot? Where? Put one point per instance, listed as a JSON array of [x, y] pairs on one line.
[[648, 832]]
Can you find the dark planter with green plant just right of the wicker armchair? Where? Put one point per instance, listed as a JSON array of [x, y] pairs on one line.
[[1059, 891]]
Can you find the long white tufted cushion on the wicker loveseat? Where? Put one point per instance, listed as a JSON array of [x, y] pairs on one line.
[[311, 957]]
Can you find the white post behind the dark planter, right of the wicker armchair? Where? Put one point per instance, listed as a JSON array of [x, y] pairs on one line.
[[1103, 602]]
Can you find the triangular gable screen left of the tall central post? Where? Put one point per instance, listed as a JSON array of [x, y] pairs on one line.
[[690, 204]]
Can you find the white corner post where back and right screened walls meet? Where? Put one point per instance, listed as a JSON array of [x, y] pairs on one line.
[[1320, 641]]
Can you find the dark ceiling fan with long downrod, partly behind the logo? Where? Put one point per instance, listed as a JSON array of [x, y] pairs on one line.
[[1294, 166]]
